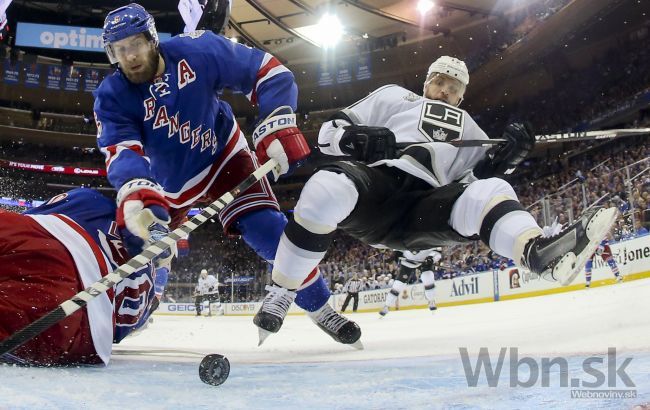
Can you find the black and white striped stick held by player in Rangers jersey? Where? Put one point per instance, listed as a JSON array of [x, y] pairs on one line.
[[82, 298]]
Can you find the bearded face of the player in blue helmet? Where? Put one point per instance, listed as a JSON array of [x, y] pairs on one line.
[[137, 57]]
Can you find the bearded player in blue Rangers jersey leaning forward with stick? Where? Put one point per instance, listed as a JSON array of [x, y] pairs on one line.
[[171, 143]]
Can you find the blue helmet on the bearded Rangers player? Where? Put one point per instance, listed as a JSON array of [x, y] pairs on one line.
[[124, 22]]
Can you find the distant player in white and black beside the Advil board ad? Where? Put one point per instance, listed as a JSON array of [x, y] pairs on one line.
[[409, 262]]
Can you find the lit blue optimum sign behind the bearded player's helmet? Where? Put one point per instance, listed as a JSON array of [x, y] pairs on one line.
[[63, 37]]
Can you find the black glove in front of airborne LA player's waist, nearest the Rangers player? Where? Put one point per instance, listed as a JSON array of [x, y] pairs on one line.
[[368, 144]]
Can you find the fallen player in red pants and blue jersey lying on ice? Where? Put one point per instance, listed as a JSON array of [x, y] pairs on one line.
[[55, 251]]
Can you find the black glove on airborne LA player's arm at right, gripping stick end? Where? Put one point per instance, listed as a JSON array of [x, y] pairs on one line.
[[520, 140]]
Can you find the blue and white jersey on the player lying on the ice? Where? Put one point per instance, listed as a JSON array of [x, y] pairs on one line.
[[84, 221]]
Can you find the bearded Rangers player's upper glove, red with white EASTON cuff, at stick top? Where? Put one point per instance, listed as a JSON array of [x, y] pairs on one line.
[[278, 137]]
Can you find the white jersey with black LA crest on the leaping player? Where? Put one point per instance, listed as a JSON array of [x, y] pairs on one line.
[[416, 120]]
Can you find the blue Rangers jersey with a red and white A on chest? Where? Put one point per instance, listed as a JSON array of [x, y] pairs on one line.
[[175, 130]]
